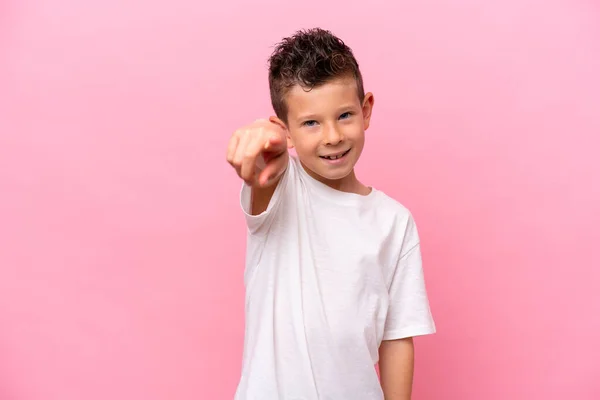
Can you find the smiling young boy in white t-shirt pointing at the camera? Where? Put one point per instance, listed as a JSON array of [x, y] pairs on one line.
[[333, 276]]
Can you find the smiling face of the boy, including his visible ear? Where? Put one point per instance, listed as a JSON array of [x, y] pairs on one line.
[[327, 126]]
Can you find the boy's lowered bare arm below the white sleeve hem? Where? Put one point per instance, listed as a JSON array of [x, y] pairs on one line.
[[396, 368]]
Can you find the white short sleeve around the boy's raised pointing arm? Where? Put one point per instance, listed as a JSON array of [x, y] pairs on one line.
[[258, 224]]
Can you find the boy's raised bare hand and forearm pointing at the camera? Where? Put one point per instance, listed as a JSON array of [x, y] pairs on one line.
[[258, 152]]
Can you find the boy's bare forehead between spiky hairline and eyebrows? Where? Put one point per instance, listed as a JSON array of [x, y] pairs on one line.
[[332, 94]]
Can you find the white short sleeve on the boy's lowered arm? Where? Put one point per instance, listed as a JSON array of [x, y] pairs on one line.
[[409, 313]]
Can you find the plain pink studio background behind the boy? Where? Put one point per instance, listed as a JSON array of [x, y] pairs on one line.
[[121, 240]]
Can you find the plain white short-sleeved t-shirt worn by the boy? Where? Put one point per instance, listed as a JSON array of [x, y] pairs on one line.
[[328, 276]]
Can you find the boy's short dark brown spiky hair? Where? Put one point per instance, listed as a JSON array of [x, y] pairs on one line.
[[309, 58]]
